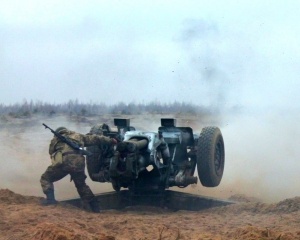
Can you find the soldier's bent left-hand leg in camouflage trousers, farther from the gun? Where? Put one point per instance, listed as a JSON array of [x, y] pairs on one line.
[[52, 174]]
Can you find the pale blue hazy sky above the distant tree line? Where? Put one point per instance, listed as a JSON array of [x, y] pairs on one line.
[[216, 53]]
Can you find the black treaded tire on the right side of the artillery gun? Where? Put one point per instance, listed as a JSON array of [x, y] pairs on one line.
[[210, 156]]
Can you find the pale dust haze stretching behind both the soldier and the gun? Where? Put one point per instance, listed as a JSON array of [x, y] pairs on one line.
[[261, 154]]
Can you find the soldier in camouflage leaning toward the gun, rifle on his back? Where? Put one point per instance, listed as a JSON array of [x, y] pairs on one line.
[[66, 160]]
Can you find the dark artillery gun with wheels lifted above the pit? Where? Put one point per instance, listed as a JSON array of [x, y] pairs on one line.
[[146, 161]]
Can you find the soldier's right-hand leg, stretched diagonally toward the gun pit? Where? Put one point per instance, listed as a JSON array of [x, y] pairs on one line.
[[88, 198]]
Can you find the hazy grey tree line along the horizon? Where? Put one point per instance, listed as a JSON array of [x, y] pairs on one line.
[[74, 107]]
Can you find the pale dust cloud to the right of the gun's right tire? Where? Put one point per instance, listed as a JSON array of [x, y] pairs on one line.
[[262, 157]]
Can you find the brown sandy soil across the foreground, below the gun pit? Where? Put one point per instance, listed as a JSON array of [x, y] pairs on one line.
[[23, 218]]
